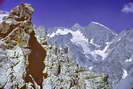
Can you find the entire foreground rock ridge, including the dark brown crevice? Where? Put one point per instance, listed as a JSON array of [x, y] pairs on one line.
[[28, 62]]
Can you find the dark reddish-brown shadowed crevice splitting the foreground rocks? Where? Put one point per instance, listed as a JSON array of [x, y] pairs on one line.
[[36, 61]]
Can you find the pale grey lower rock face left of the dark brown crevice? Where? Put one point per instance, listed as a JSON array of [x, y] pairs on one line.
[[12, 67]]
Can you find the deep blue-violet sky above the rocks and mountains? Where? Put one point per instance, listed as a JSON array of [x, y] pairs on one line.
[[51, 13]]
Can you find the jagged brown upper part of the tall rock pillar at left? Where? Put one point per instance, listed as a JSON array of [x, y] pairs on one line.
[[16, 27]]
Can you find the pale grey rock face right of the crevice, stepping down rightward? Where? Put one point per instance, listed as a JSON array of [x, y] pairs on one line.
[[64, 73]]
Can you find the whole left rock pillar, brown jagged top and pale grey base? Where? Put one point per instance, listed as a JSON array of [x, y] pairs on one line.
[[15, 31]]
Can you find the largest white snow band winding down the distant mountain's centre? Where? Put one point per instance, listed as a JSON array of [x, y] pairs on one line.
[[79, 39]]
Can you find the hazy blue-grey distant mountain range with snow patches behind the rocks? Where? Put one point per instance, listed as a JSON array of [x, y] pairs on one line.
[[97, 48]]
